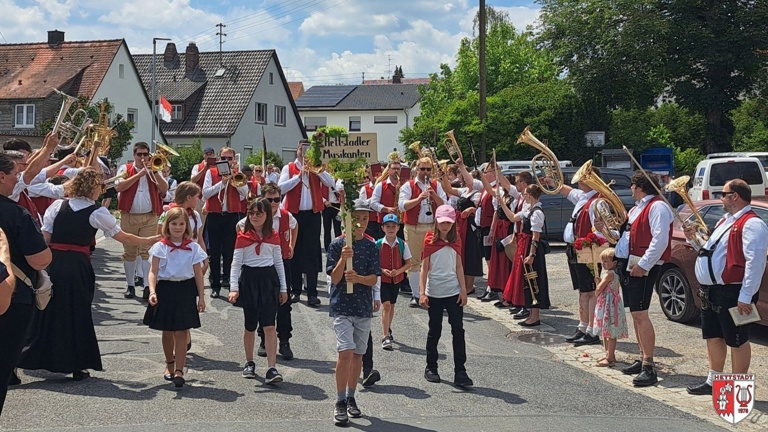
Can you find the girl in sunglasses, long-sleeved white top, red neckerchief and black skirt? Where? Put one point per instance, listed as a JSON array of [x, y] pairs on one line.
[[257, 284]]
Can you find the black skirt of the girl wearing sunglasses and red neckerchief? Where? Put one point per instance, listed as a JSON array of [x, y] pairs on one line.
[[259, 288]]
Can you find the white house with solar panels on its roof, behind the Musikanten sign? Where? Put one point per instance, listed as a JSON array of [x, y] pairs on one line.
[[372, 113]]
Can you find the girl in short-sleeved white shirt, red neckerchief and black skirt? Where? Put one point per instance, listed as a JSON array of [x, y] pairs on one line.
[[175, 279]]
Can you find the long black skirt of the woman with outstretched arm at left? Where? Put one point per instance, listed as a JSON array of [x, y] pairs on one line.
[[62, 337]]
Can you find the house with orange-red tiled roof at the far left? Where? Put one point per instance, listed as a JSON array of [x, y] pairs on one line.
[[95, 70]]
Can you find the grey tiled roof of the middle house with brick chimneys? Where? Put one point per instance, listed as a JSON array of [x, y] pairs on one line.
[[221, 103]]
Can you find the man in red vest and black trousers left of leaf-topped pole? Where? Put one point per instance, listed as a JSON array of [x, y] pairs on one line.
[[304, 200]]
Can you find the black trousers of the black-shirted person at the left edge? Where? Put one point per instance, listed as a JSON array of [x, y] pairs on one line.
[[13, 333]]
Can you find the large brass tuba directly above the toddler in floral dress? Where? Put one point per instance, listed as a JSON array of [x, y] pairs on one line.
[[608, 207]]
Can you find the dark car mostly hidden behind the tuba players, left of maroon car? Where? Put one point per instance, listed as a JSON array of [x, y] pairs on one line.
[[557, 208]]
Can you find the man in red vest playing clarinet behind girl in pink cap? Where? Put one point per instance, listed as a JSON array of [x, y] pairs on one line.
[[418, 200]]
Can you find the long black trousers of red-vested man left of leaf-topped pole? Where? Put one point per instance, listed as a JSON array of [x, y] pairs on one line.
[[306, 258]]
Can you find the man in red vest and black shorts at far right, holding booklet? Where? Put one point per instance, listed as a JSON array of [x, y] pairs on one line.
[[729, 269]]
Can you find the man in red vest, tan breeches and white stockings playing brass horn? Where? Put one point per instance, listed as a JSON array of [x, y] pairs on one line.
[[140, 203]]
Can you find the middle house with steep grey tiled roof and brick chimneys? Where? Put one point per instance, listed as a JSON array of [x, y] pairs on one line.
[[225, 99]]
